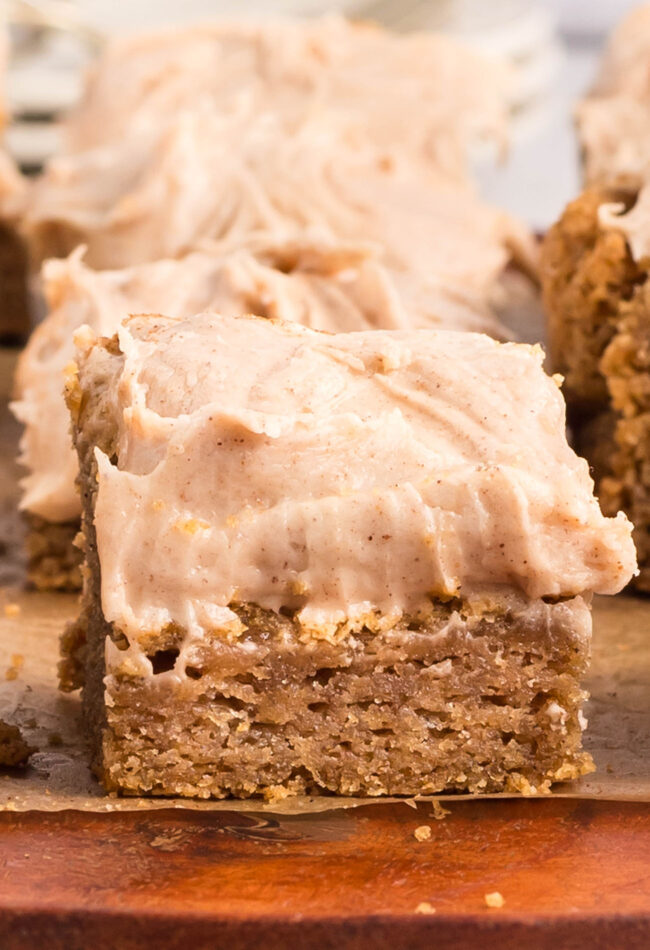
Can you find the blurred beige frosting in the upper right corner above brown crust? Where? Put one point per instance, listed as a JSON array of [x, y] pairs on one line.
[[614, 119]]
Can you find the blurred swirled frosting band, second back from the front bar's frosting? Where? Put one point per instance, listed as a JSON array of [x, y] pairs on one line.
[[205, 177]]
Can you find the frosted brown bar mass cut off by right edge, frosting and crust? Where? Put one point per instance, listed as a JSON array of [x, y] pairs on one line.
[[595, 279]]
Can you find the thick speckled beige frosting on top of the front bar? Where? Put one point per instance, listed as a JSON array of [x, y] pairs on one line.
[[336, 475]]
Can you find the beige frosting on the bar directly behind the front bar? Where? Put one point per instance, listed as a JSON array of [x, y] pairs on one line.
[[334, 287]]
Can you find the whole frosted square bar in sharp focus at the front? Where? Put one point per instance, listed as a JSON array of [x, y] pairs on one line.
[[350, 563]]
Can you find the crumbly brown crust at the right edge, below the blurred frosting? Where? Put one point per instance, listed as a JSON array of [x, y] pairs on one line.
[[597, 302]]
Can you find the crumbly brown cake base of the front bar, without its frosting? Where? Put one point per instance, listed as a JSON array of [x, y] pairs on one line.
[[480, 696]]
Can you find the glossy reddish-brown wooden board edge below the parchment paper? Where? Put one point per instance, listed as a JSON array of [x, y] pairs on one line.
[[573, 875]]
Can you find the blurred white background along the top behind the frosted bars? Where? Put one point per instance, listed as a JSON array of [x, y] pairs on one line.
[[553, 45]]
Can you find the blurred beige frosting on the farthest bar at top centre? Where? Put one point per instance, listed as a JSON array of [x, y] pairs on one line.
[[422, 90]]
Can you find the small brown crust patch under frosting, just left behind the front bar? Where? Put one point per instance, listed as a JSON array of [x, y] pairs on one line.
[[53, 559]]
